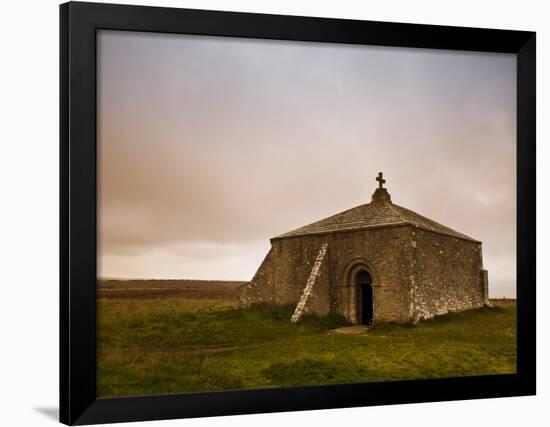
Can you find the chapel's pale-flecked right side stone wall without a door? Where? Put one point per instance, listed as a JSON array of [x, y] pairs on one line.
[[447, 274]]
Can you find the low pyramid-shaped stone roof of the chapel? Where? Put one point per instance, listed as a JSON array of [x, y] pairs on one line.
[[381, 212]]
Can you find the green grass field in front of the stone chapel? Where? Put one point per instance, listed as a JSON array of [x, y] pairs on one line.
[[176, 345]]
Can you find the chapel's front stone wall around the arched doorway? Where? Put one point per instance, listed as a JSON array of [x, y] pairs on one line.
[[385, 252]]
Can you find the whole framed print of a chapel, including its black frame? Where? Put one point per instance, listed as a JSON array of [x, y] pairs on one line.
[[267, 213]]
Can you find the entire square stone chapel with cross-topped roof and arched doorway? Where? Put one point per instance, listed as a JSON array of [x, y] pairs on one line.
[[378, 262]]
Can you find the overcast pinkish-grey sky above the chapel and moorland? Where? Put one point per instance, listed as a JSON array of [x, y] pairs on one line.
[[210, 146]]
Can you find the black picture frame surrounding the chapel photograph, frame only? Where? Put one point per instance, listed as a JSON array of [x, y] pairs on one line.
[[78, 25]]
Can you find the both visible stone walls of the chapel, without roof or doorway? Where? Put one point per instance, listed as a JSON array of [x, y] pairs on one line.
[[416, 274]]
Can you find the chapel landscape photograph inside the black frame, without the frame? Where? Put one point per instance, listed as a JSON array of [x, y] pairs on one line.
[[277, 213]]
